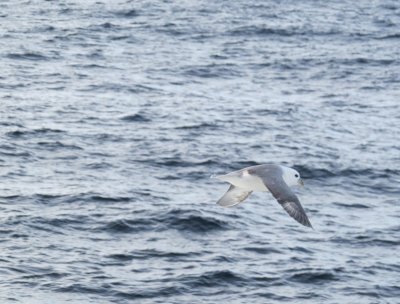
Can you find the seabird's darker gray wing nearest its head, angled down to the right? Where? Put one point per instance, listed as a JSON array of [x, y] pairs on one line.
[[286, 197]]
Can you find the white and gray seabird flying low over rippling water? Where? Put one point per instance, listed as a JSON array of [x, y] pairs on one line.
[[276, 179]]
